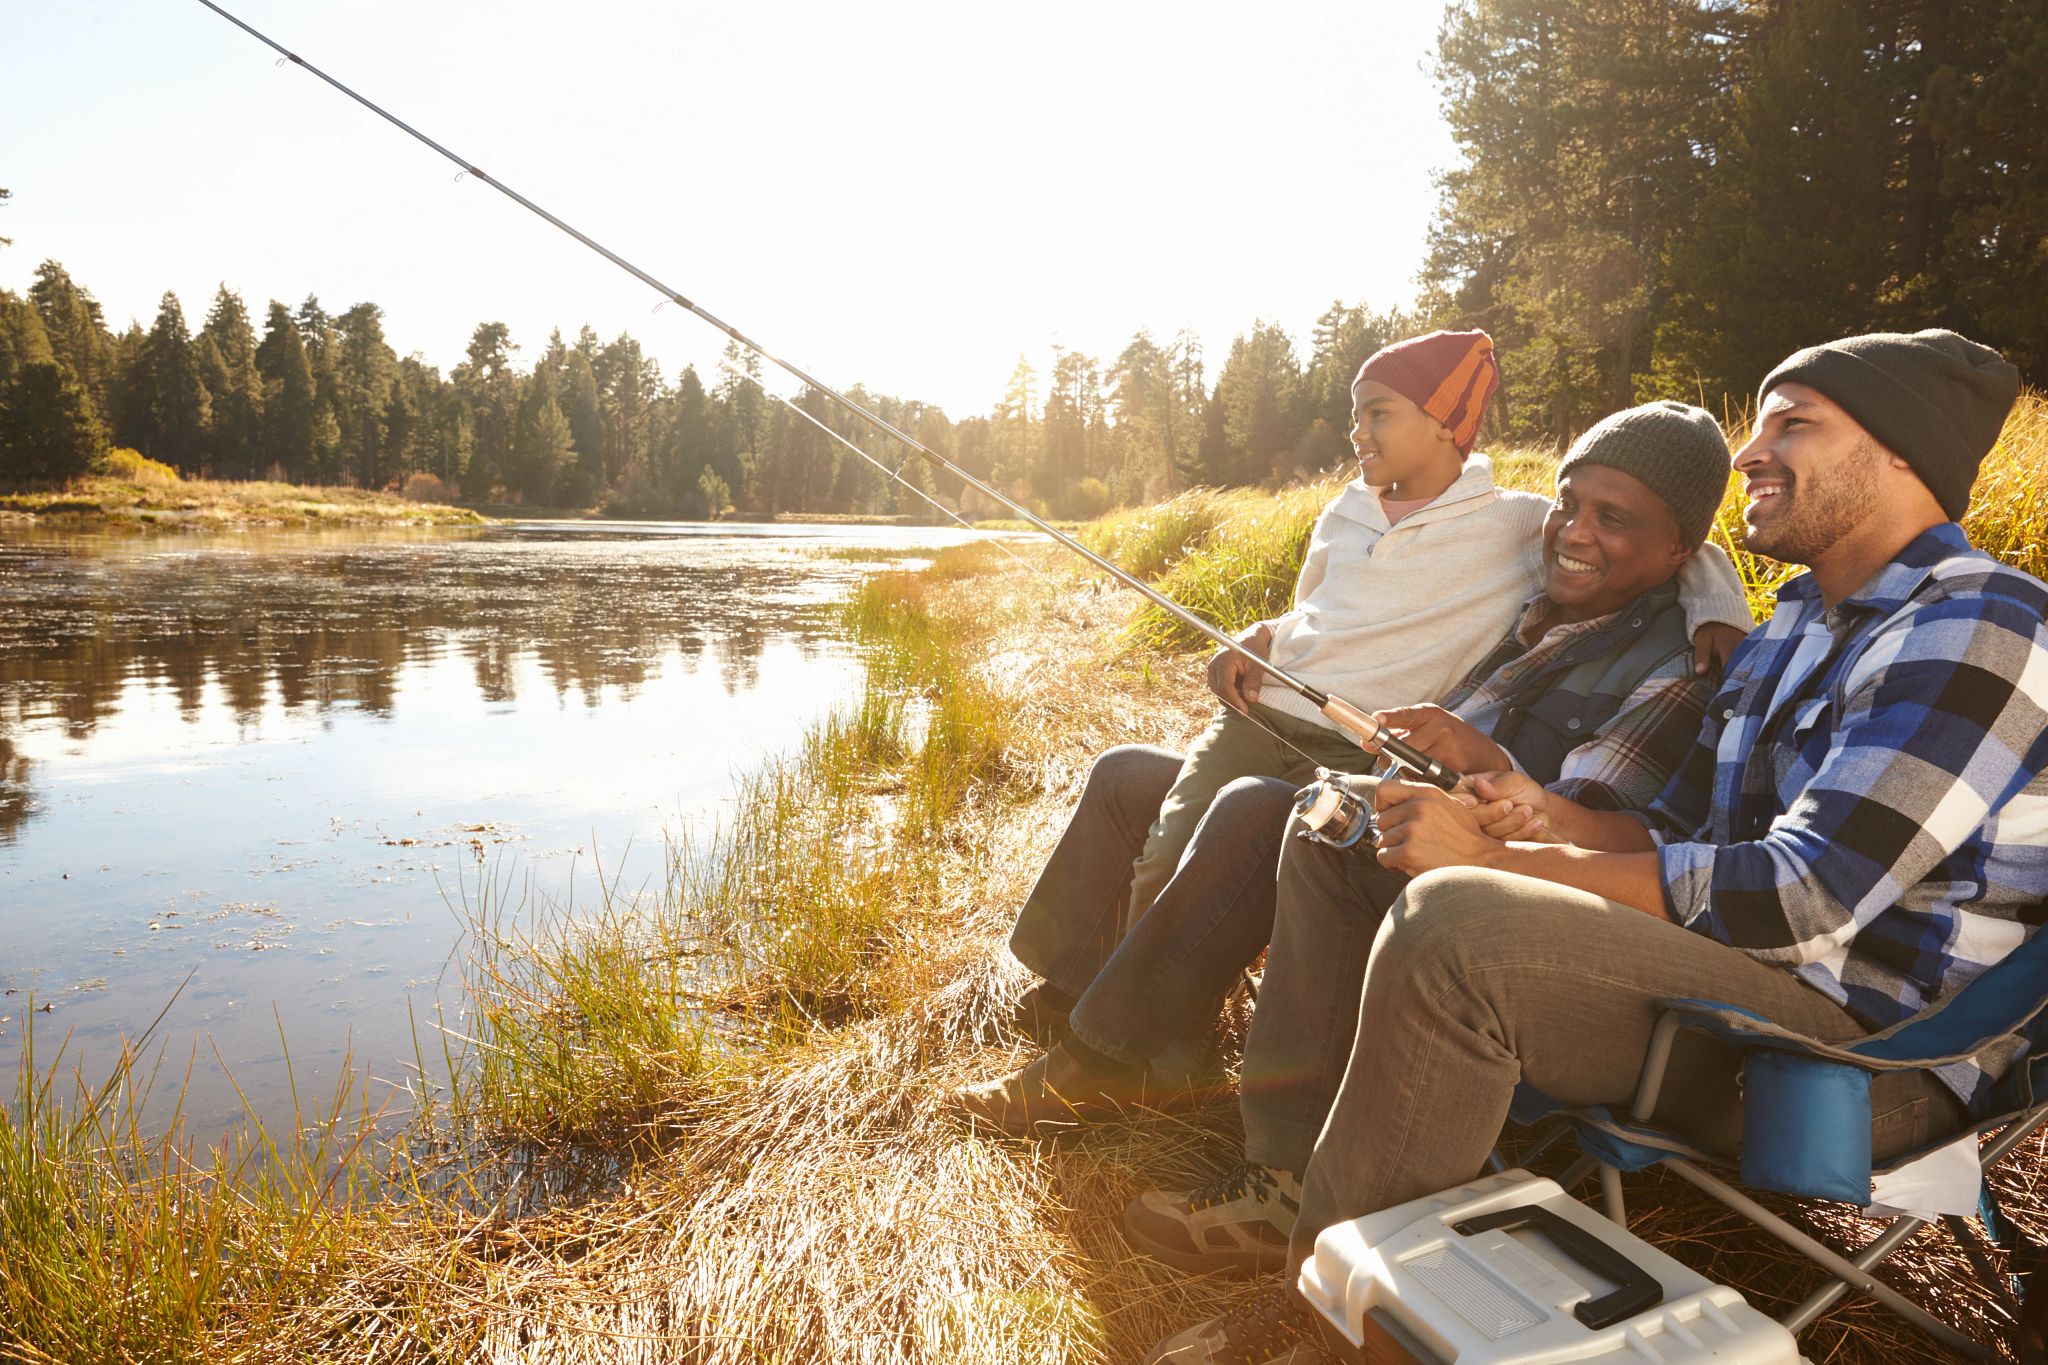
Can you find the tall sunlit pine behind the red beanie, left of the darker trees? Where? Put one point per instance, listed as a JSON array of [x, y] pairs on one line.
[[1586, 134]]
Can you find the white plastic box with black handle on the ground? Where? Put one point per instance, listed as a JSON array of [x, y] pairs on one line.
[[1512, 1270]]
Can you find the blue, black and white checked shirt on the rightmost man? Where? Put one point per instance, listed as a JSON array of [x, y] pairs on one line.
[[1867, 803]]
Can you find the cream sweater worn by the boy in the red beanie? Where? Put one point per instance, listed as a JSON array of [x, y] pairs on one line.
[[1398, 615]]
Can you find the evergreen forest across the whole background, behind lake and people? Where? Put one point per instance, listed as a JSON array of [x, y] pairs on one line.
[[1652, 200]]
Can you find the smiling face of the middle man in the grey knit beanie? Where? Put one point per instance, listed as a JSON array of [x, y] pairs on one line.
[[1607, 541]]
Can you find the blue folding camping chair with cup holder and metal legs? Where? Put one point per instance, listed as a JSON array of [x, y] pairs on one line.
[[1807, 1131]]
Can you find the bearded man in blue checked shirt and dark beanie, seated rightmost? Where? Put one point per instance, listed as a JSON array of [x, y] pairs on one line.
[[1857, 834]]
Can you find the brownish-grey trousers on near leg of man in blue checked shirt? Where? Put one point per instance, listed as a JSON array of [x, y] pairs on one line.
[[1484, 979]]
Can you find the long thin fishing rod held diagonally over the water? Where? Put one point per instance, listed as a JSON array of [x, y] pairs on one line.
[[1351, 719]]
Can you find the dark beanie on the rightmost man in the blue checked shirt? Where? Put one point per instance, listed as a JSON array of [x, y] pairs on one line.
[[1932, 398]]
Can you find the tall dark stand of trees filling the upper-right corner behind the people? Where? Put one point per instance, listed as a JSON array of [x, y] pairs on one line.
[[1666, 197]]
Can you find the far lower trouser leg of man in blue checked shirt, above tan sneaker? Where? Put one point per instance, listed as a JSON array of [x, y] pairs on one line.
[[1330, 910]]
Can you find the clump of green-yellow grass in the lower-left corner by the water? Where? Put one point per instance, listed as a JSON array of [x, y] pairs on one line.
[[120, 1243]]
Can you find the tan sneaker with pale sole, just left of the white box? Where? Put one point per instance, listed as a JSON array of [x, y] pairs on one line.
[[1238, 1225]]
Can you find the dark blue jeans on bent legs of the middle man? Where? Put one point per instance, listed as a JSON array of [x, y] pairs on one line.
[[1166, 979]]
